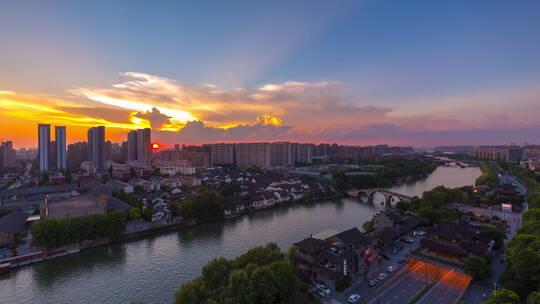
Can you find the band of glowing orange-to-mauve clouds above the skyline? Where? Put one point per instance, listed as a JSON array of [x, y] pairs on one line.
[[290, 110]]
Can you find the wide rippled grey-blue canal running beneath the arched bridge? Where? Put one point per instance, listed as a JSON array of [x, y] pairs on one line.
[[151, 269]]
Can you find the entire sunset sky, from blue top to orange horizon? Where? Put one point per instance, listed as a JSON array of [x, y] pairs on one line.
[[420, 73]]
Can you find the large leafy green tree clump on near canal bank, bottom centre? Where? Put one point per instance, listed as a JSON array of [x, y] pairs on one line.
[[260, 275]]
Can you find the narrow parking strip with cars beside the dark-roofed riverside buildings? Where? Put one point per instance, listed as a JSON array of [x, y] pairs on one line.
[[362, 287]]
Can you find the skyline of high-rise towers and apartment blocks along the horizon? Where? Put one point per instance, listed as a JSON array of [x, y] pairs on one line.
[[92, 155]]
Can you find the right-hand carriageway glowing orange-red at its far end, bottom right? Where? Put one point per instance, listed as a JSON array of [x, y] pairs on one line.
[[447, 291]]
